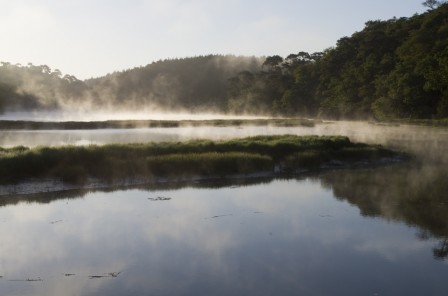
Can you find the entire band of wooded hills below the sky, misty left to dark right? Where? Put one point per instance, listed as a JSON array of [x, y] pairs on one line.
[[396, 68]]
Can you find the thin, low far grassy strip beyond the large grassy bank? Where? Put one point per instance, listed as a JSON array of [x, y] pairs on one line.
[[129, 124]]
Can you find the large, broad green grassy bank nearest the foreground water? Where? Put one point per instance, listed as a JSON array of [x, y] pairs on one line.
[[76, 164]]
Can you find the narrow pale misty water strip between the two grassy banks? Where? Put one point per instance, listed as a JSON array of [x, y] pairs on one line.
[[357, 131]]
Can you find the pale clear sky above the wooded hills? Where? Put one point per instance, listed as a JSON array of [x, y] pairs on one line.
[[90, 38]]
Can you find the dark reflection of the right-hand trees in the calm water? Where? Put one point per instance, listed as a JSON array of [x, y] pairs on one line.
[[412, 193]]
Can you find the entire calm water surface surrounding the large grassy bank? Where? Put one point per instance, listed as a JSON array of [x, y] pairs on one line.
[[369, 231]]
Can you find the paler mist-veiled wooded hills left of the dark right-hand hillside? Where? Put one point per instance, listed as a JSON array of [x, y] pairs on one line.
[[191, 84]]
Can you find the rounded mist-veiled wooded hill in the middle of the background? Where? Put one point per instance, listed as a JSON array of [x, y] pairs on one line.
[[192, 84]]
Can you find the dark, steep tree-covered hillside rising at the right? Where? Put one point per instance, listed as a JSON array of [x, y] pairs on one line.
[[391, 69]]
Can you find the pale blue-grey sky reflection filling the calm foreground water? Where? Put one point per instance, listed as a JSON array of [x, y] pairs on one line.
[[281, 238]]
